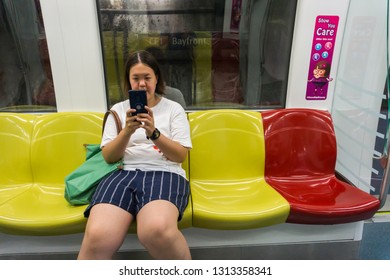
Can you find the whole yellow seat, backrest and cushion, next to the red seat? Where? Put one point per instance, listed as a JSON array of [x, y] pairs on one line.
[[227, 172]]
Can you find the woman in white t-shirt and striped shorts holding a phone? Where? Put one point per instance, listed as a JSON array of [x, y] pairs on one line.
[[152, 187]]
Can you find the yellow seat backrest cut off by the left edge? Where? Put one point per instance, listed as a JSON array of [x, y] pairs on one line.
[[15, 138]]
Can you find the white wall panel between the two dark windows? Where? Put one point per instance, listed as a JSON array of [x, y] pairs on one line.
[[75, 52]]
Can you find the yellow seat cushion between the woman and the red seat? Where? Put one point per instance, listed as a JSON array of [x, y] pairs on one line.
[[243, 204]]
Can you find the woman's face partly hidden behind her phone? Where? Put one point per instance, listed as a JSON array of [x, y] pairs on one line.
[[142, 77]]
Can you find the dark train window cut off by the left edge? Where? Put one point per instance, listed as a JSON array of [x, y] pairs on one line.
[[25, 74]]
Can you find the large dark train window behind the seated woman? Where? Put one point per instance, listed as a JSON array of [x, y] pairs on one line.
[[218, 53]]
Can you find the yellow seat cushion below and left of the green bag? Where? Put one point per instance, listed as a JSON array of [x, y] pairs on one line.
[[41, 210]]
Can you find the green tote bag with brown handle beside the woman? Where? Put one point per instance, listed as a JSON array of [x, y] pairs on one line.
[[81, 184]]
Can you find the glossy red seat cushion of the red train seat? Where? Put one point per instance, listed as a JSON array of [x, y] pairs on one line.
[[325, 200]]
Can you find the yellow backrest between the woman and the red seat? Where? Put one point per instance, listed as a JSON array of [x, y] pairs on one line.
[[227, 145]]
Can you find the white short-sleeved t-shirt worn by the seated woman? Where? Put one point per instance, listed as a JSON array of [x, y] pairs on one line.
[[141, 153]]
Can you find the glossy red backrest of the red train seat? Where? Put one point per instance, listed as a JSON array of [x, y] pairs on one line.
[[299, 142]]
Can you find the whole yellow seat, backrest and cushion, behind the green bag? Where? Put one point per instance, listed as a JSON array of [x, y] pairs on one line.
[[56, 149]]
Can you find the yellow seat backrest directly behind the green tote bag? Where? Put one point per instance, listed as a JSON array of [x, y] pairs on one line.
[[57, 144]]
